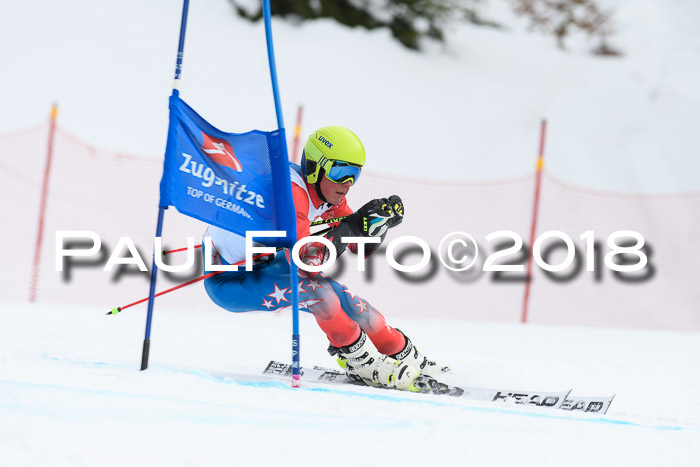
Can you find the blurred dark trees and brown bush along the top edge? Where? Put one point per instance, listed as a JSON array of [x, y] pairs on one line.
[[411, 21]]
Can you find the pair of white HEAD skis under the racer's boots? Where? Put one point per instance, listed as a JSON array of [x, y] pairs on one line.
[[429, 385]]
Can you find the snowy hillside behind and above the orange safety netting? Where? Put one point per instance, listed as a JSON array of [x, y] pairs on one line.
[[468, 110]]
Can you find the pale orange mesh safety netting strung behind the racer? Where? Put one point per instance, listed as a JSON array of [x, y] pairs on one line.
[[116, 195]]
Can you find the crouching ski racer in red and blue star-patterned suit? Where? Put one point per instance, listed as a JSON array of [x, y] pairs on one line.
[[365, 345]]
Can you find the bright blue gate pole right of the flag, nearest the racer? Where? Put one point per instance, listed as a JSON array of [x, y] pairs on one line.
[[280, 124]]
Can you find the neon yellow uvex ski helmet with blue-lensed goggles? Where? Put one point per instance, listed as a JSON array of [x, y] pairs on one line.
[[335, 150]]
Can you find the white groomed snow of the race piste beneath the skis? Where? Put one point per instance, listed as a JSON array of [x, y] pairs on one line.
[[71, 395]]
